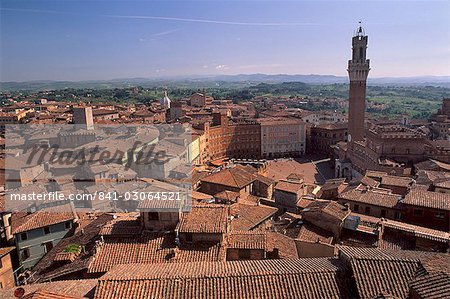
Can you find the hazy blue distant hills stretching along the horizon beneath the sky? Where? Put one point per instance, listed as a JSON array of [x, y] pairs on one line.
[[213, 80]]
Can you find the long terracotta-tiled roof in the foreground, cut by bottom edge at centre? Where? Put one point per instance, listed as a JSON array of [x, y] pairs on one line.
[[305, 278]]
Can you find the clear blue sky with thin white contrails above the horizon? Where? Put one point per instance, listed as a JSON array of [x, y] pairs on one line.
[[110, 39]]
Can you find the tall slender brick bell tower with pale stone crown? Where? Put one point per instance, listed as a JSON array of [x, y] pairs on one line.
[[358, 69]]
